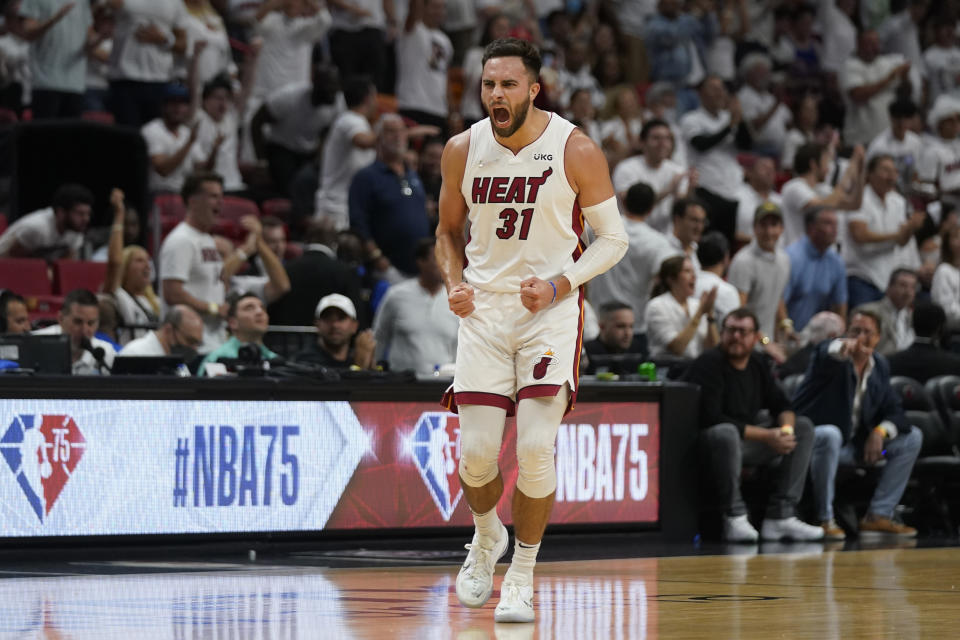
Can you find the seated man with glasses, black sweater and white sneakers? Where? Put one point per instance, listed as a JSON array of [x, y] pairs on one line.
[[735, 386]]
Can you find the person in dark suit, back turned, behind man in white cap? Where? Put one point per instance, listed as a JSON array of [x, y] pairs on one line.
[[315, 274]]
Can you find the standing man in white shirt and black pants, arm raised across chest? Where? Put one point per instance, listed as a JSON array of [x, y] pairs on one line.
[[710, 133]]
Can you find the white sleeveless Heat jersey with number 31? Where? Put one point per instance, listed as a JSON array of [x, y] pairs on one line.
[[524, 216]]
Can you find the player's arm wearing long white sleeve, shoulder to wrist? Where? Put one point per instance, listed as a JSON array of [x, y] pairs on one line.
[[588, 173]]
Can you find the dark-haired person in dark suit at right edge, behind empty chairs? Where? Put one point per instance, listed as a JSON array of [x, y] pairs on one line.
[[924, 359]]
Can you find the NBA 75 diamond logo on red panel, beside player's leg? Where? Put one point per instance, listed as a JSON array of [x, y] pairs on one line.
[[436, 447]]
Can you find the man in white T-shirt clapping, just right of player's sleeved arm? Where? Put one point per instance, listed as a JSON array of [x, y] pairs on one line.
[[653, 166]]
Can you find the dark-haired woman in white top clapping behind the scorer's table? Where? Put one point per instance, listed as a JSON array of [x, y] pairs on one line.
[[677, 323]]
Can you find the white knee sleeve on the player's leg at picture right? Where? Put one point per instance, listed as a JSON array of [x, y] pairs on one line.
[[537, 422]]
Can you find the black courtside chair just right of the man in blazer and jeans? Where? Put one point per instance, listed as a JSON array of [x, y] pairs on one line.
[[937, 469]]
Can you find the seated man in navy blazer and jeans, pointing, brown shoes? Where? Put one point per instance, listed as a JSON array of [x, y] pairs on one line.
[[847, 394]]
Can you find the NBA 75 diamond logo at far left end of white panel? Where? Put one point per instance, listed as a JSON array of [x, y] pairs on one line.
[[42, 451]]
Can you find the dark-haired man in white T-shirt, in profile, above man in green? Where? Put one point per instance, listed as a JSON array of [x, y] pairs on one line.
[[191, 269]]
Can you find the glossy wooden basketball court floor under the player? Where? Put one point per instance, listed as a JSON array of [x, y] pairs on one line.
[[888, 593]]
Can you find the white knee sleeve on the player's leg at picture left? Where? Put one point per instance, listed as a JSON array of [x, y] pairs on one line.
[[481, 434]]
